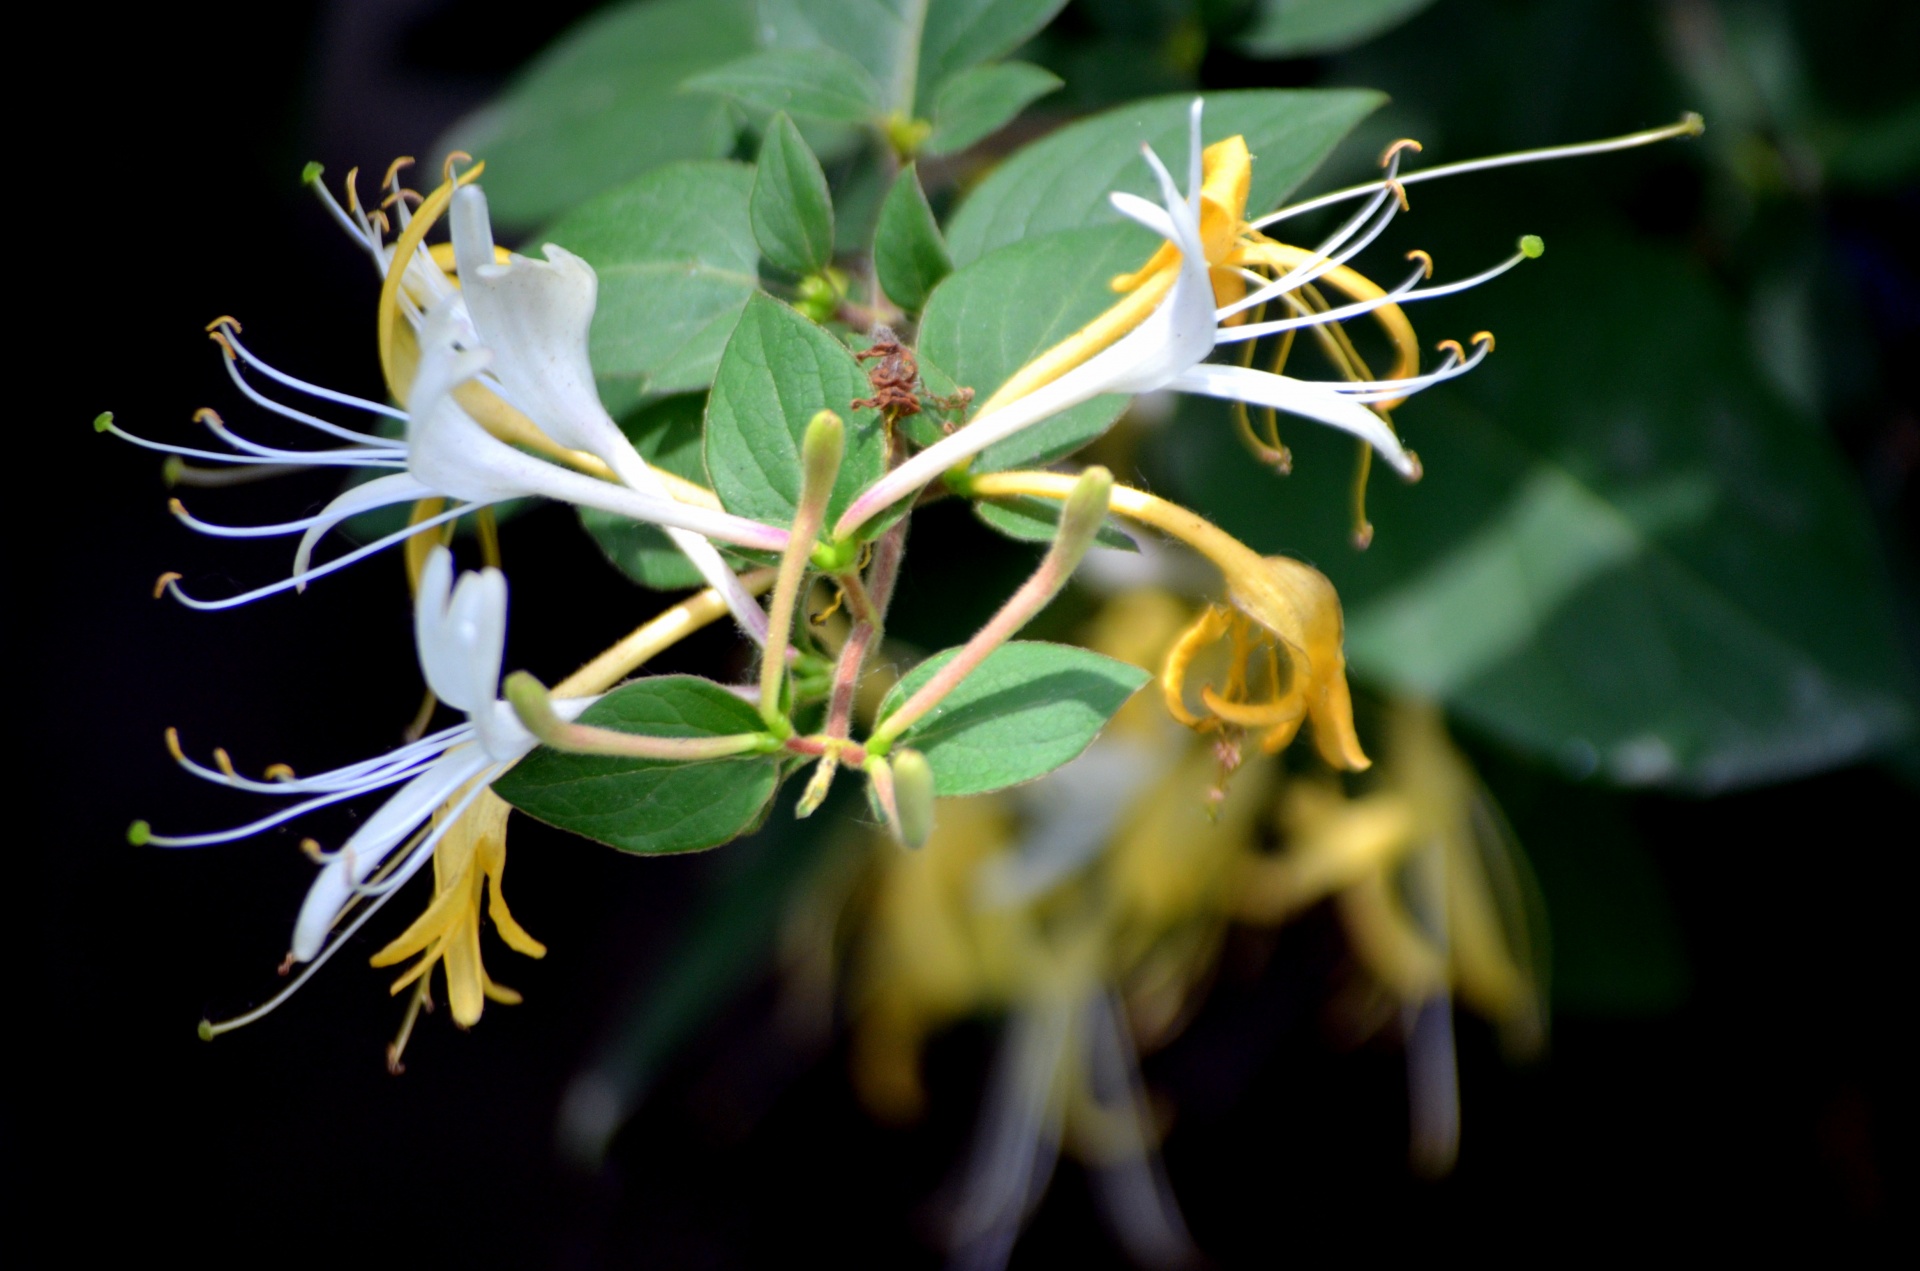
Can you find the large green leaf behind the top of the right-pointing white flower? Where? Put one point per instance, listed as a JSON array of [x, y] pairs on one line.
[[1063, 180]]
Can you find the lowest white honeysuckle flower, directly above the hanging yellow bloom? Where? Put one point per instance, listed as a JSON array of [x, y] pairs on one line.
[[462, 635]]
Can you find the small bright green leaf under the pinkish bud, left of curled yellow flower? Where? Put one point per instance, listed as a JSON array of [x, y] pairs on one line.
[[1024, 711]]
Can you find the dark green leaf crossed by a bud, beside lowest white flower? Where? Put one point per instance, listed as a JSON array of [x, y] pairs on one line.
[[644, 805]]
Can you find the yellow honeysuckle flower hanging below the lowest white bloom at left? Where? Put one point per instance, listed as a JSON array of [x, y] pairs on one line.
[[468, 863]]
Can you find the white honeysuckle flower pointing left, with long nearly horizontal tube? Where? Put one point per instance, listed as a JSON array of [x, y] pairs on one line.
[[444, 456]]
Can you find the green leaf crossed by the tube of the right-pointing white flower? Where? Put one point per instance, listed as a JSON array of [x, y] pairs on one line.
[[992, 318]]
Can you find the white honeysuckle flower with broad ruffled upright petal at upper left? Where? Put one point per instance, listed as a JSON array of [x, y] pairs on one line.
[[535, 318]]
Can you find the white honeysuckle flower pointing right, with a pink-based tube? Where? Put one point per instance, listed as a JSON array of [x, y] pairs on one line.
[[1166, 348]]
